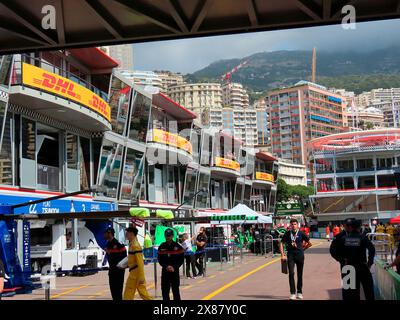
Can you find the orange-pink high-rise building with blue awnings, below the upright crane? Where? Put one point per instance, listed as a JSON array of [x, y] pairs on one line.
[[300, 113]]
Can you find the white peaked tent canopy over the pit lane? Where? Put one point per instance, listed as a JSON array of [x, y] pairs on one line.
[[239, 215]]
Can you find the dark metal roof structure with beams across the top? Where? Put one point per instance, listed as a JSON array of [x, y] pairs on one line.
[[24, 24]]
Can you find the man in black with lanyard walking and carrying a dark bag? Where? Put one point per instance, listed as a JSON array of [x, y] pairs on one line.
[[296, 242]]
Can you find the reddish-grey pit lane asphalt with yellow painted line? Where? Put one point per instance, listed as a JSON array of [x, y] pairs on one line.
[[249, 278]]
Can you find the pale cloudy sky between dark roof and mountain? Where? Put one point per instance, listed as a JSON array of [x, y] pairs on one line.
[[190, 55]]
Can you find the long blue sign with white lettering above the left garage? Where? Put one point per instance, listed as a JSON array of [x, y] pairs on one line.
[[56, 206]]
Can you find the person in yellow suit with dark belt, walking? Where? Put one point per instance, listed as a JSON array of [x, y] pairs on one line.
[[136, 279]]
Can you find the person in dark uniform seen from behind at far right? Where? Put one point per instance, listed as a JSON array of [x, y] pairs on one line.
[[349, 249]]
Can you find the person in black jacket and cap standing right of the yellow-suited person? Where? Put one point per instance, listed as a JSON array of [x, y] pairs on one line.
[[170, 257]]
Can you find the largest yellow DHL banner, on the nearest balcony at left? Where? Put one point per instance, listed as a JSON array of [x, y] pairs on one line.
[[39, 78]]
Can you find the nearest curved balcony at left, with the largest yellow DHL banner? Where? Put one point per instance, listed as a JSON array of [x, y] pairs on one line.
[[59, 95]]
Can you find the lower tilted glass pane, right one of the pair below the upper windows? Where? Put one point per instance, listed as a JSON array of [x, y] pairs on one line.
[[132, 175]]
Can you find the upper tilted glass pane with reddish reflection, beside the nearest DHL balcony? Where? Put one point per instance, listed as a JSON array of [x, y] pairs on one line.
[[119, 103]]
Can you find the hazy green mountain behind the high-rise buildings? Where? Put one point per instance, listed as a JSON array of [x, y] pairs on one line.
[[353, 71]]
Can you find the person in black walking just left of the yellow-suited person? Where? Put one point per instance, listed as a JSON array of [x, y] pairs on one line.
[[115, 253]]
